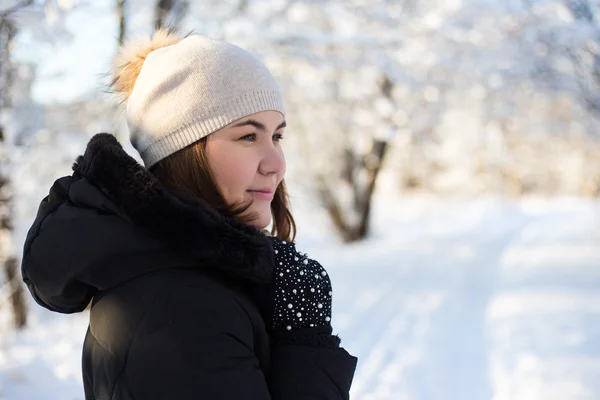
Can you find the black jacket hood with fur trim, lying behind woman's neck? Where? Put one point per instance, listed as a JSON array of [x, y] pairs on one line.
[[111, 221]]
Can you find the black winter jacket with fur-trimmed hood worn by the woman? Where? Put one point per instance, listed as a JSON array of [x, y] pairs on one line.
[[179, 292]]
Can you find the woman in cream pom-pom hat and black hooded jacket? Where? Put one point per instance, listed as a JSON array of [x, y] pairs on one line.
[[191, 297]]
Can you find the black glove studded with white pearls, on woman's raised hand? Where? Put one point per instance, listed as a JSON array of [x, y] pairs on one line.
[[302, 295]]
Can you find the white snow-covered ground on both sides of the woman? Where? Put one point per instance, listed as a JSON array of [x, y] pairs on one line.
[[467, 300]]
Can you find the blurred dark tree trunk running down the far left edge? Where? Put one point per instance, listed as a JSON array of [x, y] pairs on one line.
[[8, 258]]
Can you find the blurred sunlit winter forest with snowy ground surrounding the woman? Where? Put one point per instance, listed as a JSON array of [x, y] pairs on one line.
[[443, 165]]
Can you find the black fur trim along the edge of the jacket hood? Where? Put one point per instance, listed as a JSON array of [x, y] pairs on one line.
[[187, 224]]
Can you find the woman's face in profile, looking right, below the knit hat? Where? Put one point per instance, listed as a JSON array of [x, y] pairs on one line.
[[247, 161]]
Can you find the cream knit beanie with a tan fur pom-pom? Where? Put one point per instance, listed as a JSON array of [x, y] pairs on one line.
[[181, 90]]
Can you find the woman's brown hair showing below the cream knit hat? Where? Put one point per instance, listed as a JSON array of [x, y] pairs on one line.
[[187, 171]]
